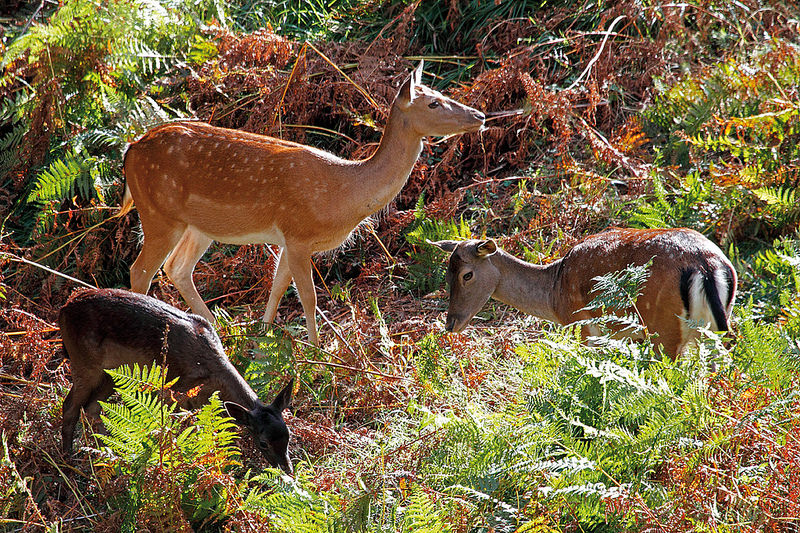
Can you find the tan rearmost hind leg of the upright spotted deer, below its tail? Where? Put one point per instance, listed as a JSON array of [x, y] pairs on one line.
[[160, 237]]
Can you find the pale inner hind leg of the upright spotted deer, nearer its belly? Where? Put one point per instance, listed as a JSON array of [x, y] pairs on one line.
[[180, 265]]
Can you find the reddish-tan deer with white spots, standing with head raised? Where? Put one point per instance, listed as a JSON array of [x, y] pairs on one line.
[[194, 183]]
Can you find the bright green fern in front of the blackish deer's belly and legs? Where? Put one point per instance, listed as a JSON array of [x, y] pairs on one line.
[[176, 474]]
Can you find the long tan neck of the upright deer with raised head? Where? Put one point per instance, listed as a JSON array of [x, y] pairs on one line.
[[379, 178]]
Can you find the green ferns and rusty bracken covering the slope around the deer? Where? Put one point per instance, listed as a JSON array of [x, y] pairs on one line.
[[639, 114]]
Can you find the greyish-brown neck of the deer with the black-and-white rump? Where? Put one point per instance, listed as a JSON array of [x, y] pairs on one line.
[[527, 287]]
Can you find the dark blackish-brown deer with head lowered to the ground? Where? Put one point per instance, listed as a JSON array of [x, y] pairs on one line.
[[107, 328]]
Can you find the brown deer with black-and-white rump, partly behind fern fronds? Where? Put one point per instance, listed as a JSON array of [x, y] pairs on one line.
[[690, 278]]
